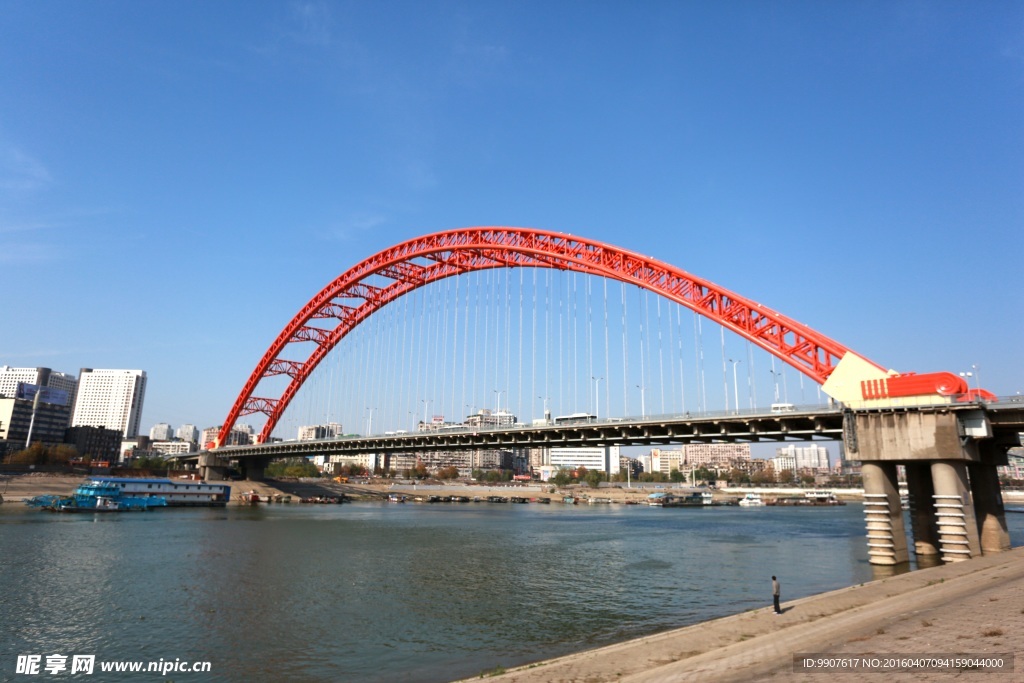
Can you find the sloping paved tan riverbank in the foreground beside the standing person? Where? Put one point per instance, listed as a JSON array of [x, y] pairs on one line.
[[974, 608]]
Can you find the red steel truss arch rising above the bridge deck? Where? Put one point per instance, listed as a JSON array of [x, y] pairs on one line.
[[351, 300]]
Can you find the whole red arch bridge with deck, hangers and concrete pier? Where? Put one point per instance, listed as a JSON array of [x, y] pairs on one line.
[[950, 437]]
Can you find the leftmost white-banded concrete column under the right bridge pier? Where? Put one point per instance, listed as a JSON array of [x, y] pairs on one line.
[[883, 516]]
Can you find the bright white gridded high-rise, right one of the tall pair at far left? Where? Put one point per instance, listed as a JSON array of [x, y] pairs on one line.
[[111, 399]]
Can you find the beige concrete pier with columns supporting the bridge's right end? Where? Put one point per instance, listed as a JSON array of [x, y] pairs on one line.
[[954, 491]]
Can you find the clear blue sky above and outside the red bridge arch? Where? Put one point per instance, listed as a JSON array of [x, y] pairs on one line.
[[178, 179]]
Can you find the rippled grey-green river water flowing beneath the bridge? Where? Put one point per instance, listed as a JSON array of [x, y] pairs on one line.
[[385, 592]]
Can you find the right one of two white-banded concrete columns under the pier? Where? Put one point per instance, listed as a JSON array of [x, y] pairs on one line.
[[955, 511]]
